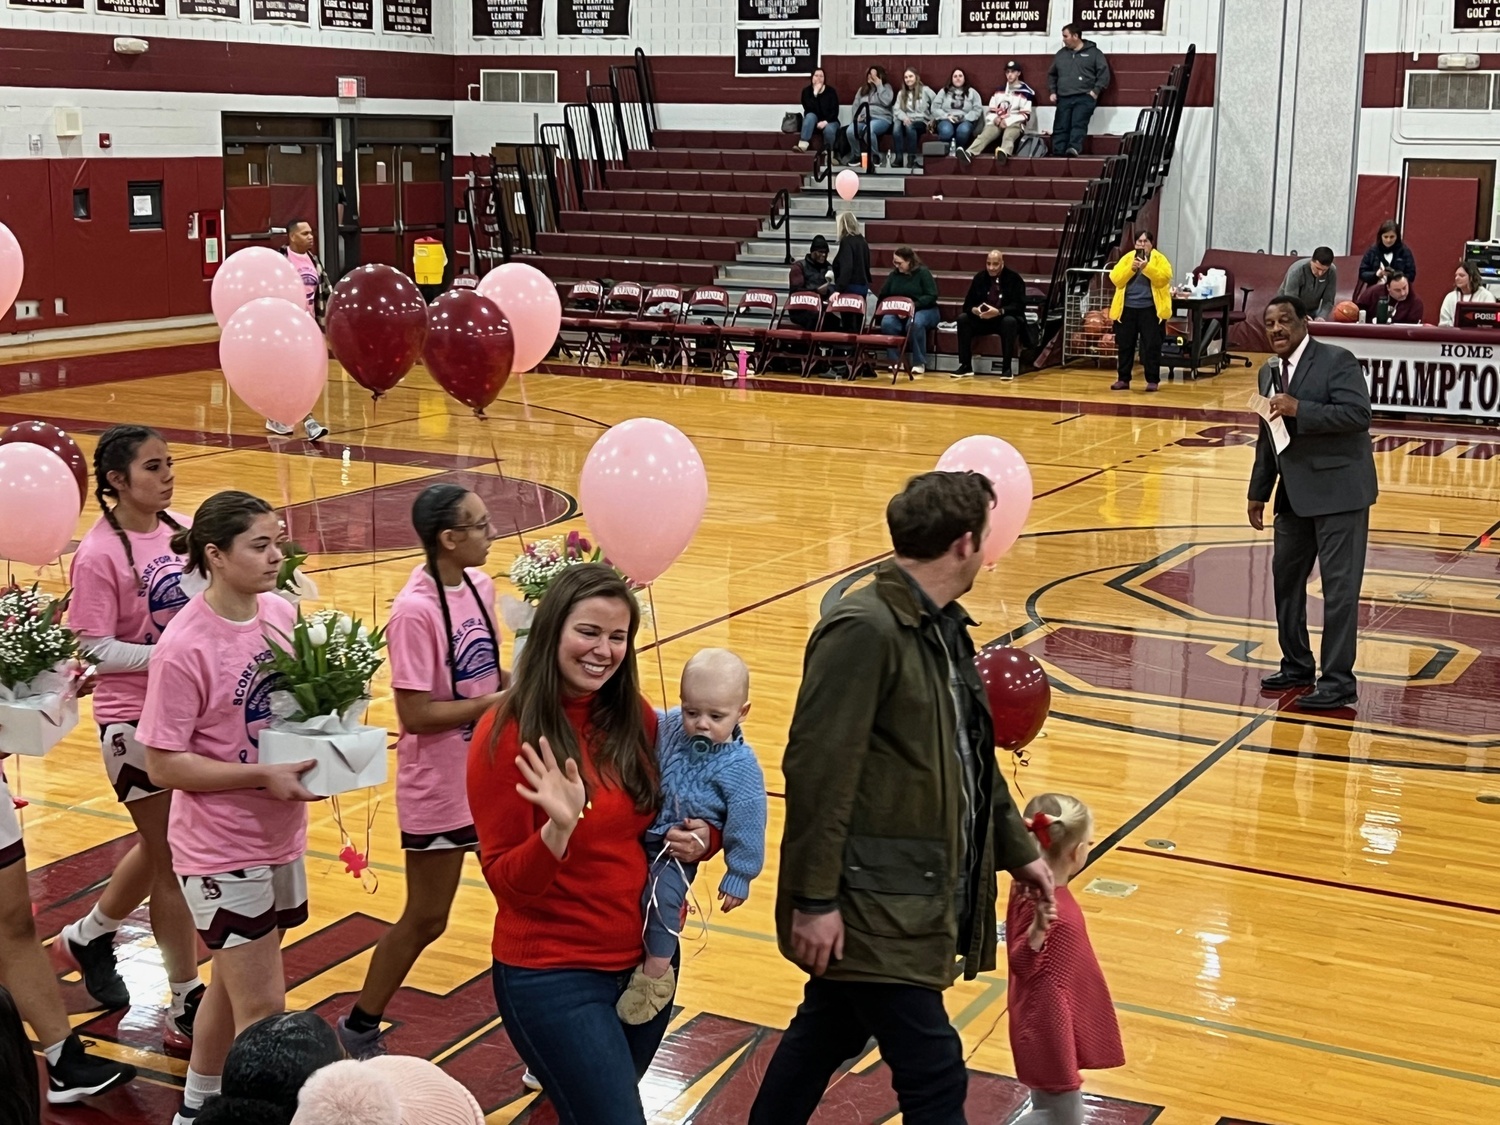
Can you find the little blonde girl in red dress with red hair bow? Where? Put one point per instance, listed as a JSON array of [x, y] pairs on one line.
[[1063, 1019]]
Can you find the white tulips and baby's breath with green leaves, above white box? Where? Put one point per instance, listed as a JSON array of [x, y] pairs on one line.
[[325, 667]]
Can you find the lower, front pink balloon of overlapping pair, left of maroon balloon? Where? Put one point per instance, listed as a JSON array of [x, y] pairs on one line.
[[275, 359]]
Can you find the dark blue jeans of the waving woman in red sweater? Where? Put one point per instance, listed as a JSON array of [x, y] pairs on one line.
[[565, 1028]]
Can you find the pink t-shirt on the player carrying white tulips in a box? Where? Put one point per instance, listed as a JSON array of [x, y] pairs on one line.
[[206, 697]]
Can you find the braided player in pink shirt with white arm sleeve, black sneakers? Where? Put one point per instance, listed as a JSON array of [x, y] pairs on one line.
[[127, 589]]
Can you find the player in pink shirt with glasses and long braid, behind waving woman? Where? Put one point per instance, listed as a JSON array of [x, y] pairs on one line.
[[445, 668]]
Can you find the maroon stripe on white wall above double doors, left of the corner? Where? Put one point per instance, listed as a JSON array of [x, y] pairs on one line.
[[88, 62]]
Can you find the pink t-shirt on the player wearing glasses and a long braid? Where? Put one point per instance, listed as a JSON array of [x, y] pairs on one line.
[[431, 770]]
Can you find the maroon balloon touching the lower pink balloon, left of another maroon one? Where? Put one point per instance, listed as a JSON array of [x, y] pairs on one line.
[[377, 325]]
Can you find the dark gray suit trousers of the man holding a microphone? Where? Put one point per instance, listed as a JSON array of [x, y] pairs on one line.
[[1339, 547]]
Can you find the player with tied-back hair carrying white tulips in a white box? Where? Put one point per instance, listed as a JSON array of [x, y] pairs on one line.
[[239, 829]]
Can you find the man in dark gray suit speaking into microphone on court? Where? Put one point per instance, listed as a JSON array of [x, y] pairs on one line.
[[1322, 511]]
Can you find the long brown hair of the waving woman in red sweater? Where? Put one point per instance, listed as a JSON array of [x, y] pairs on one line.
[[535, 701]]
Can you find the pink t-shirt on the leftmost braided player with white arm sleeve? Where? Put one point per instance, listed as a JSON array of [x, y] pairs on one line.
[[109, 602]]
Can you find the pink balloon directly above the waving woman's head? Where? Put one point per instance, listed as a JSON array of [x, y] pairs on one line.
[[644, 493]]
